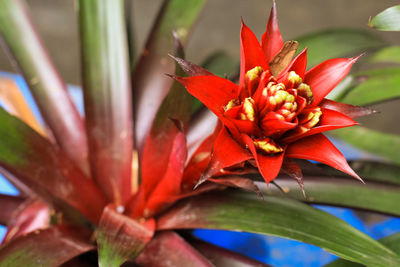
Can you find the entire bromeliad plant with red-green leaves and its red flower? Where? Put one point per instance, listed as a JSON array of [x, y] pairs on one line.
[[115, 179]]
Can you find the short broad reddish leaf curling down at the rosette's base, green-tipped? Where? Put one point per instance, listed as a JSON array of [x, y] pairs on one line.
[[121, 238]]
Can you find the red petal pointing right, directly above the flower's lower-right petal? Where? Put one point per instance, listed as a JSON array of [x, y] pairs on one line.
[[329, 120]]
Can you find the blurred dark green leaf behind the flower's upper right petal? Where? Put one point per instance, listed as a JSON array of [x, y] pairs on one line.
[[334, 43]]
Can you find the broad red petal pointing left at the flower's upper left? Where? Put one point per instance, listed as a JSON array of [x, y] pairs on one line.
[[215, 92]]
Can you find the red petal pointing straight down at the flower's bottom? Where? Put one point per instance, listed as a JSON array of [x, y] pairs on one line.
[[269, 165]]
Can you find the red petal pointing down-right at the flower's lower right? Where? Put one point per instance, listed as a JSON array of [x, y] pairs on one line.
[[317, 147]]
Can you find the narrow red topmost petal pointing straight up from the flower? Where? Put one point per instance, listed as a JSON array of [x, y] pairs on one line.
[[271, 40]]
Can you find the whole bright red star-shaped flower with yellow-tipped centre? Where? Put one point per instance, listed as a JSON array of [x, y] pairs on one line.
[[273, 115]]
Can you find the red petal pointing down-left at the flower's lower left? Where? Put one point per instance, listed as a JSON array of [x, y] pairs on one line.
[[226, 152]]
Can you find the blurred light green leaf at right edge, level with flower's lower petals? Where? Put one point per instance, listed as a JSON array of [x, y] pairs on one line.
[[382, 144]]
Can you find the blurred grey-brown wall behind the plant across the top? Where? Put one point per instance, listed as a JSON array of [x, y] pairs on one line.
[[217, 29]]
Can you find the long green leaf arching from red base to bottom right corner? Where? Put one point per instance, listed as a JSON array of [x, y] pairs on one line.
[[282, 217]]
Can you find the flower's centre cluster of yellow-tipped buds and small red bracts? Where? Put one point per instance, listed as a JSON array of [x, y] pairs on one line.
[[273, 108]]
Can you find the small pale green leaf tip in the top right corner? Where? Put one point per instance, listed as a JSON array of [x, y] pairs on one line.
[[387, 20]]
